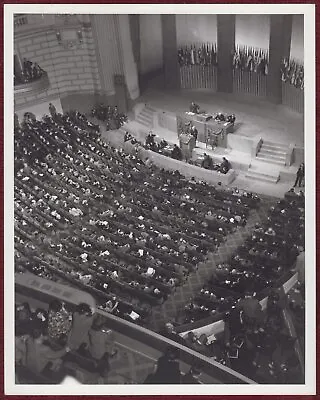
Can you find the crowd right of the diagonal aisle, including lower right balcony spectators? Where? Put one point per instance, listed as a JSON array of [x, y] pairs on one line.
[[255, 342]]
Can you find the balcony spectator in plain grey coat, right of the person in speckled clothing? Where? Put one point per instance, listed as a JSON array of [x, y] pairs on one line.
[[81, 323]]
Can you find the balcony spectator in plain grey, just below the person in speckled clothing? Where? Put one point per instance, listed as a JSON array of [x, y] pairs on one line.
[[41, 358]]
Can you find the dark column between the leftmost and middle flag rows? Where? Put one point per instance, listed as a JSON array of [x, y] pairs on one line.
[[226, 45]]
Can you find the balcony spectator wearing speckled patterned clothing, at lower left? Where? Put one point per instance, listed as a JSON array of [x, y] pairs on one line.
[[59, 321]]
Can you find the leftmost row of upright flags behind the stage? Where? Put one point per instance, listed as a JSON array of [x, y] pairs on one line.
[[204, 54]]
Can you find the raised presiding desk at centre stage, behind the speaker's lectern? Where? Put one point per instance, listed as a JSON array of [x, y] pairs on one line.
[[210, 131]]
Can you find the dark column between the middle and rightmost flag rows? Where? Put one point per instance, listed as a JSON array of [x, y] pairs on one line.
[[279, 48]]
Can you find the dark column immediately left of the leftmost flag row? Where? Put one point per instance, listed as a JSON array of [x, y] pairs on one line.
[[170, 51]]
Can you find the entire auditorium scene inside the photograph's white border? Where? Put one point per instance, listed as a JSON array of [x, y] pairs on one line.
[[159, 200]]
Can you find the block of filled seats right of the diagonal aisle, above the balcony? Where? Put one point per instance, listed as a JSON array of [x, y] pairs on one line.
[[259, 263]]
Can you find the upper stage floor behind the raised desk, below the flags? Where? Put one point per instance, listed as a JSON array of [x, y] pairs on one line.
[[254, 117]]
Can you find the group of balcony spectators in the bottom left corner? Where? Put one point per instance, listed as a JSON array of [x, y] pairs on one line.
[[53, 343]]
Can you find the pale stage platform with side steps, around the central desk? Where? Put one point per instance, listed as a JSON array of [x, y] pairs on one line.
[[256, 122]]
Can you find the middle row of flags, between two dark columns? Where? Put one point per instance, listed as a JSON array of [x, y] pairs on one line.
[[250, 59]]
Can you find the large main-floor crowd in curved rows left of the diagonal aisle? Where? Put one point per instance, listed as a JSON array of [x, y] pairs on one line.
[[97, 218]]
